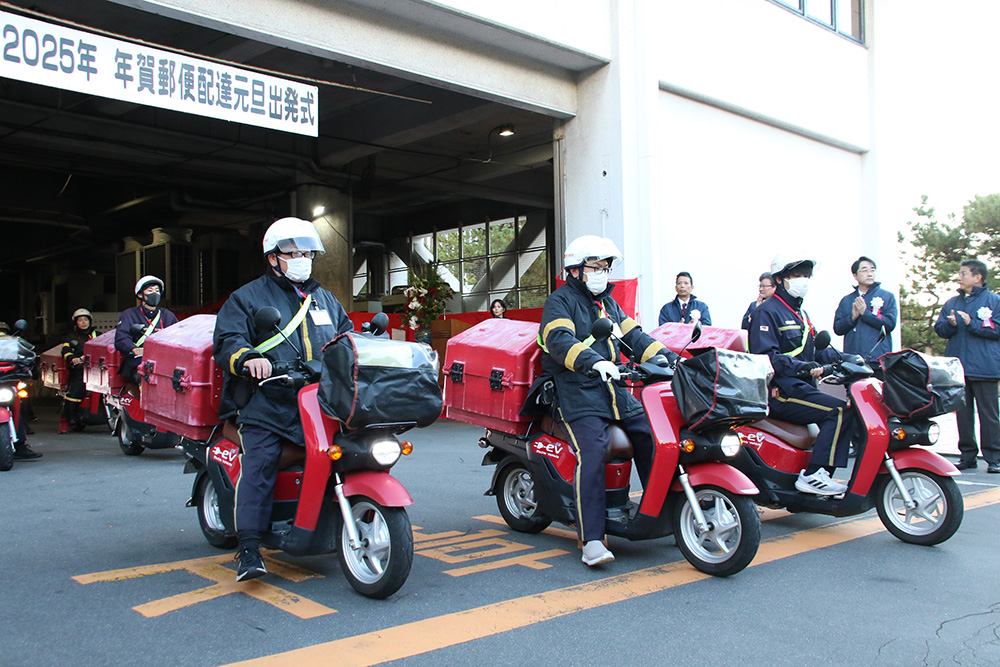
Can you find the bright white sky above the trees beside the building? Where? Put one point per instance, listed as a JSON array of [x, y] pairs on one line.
[[939, 128]]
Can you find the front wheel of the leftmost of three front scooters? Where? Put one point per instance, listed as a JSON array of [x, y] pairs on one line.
[[381, 562]]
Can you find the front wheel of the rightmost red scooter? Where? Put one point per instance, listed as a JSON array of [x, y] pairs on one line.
[[938, 512]]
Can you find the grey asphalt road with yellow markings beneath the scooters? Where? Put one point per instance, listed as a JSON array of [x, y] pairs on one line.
[[103, 564]]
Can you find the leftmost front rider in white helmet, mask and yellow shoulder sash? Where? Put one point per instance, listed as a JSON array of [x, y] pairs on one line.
[[269, 416]]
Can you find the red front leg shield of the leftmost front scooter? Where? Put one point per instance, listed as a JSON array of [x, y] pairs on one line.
[[319, 431]]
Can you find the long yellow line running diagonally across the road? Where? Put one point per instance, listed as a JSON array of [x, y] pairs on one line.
[[439, 632]]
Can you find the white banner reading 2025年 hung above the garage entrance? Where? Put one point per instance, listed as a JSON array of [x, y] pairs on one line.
[[51, 55]]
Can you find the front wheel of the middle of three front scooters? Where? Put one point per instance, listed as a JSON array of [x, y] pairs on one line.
[[733, 534]]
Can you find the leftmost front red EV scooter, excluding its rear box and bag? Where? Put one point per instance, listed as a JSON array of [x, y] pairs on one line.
[[343, 499]]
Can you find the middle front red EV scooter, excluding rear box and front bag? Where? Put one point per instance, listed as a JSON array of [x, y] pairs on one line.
[[693, 492]]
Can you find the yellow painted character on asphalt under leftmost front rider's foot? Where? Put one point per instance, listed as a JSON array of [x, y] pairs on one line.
[[225, 584]]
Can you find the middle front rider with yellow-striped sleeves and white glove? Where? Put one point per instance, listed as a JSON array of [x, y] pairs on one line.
[[589, 405]]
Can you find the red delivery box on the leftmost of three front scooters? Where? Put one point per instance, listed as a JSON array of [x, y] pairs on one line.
[[181, 384]]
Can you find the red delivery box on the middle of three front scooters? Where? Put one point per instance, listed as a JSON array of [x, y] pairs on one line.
[[488, 371]]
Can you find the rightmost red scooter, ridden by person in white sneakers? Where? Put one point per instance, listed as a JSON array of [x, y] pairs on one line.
[[912, 489]]
